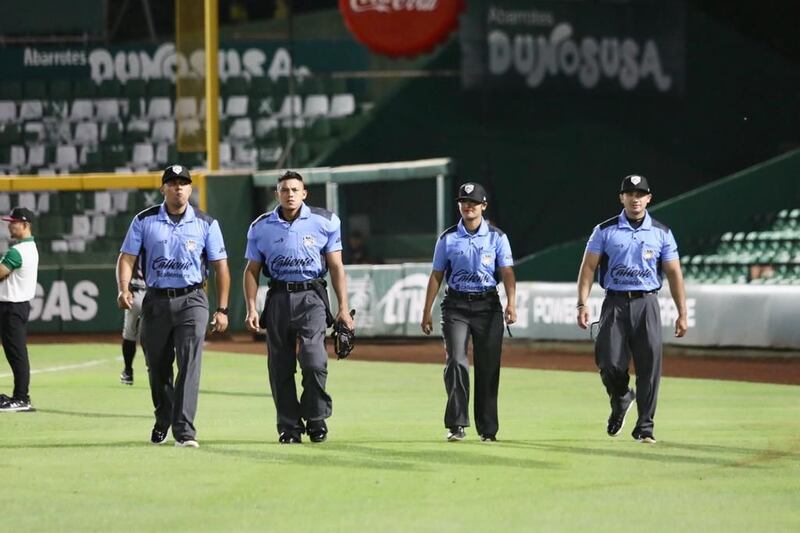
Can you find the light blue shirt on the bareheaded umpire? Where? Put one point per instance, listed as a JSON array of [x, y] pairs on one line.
[[294, 251]]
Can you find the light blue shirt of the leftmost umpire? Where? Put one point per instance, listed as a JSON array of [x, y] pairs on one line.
[[174, 255]]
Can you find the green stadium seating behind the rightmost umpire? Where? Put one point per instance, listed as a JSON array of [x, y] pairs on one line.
[[768, 253]]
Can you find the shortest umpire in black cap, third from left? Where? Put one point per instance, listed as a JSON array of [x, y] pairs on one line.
[[473, 256]]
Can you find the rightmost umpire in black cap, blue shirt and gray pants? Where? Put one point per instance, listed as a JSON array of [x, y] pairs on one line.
[[632, 250]]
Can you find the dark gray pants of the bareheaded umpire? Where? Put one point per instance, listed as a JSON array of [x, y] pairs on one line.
[[295, 319]]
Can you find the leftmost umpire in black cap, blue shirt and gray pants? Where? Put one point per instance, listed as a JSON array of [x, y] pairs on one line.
[[176, 244]]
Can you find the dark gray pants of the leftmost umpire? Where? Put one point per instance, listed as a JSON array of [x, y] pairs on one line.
[[174, 328]]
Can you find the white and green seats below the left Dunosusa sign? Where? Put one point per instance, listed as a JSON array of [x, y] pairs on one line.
[[63, 127]]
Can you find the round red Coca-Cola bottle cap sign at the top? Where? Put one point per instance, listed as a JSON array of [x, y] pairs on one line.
[[401, 27]]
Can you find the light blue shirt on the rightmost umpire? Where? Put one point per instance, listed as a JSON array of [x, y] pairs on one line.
[[631, 258]]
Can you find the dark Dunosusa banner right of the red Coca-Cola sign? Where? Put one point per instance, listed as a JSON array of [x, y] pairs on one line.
[[574, 46]]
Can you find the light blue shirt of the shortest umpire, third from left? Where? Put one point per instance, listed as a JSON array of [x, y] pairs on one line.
[[470, 261]]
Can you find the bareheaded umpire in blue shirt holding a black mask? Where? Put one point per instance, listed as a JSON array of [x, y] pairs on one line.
[[294, 246]]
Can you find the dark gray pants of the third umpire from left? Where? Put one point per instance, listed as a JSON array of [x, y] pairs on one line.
[[482, 320]]
